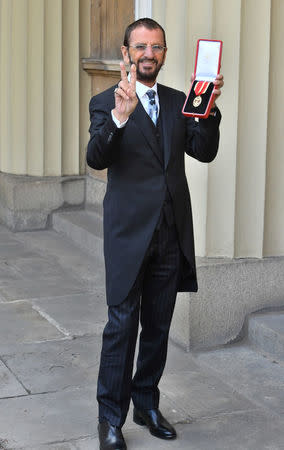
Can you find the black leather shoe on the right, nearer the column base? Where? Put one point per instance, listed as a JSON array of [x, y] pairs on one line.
[[157, 424]]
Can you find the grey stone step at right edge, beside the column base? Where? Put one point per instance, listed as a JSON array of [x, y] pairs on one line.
[[266, 333]]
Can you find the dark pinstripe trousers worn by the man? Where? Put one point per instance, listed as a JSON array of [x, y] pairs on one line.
[[152, 299]]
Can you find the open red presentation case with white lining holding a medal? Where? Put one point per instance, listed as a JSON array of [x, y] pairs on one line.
[[207, 66]]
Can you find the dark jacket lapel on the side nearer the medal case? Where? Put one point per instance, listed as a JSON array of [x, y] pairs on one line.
[[166, 122]]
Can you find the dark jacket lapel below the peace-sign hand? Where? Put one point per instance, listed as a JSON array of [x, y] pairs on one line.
[[143, 123]]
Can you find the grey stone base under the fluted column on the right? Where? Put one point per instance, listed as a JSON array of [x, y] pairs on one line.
[[229, 290]]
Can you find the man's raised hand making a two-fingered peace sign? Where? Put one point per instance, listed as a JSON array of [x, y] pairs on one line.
[[125, 94]]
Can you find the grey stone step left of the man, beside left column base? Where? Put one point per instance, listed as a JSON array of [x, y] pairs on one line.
[[84, 228]]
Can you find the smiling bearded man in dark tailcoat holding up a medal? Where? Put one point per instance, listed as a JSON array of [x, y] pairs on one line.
[[138, 133]]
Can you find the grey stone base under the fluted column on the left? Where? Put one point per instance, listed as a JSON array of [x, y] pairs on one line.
[[26, 202]]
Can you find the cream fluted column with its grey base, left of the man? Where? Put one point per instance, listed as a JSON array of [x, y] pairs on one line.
[[40, 134]]
